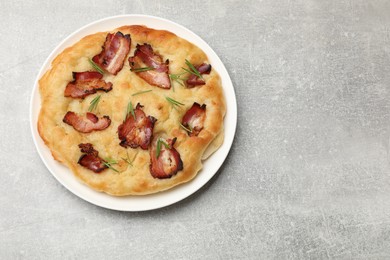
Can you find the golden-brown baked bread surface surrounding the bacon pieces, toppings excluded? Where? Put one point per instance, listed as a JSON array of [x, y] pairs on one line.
[[63, 140]]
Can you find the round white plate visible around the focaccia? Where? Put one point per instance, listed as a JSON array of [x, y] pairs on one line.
[[148, 202]]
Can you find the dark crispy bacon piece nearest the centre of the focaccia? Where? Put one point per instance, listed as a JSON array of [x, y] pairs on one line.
[[136, 132]]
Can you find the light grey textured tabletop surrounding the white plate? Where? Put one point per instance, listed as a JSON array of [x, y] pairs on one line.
[[308, 175]]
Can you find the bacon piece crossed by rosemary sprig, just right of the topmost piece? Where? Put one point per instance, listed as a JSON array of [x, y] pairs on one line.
[[144, 56]]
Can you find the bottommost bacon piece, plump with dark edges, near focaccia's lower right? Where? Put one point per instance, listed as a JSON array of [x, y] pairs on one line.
[[168, 163]]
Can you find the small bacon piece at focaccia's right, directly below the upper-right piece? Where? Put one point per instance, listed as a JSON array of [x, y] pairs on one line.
[[194, 119]]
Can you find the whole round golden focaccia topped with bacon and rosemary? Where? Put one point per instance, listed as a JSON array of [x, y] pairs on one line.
[[144, 123]]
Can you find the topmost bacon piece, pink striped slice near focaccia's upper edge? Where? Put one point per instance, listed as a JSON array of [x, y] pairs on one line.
[[115, 49]]
